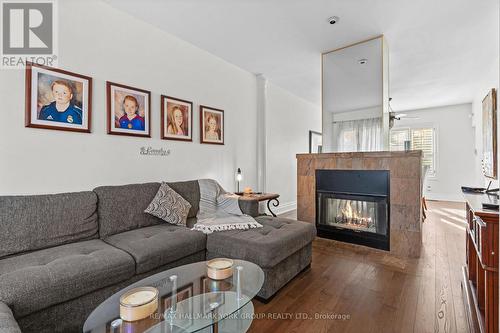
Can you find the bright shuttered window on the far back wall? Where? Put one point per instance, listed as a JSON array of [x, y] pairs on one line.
[[421, 139]]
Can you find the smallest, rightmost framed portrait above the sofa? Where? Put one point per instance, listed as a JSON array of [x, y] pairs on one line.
[[211, 125]]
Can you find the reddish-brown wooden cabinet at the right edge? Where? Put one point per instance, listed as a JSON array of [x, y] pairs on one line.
[[480, 275]]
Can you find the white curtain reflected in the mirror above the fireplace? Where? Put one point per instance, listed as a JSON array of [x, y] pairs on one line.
[[358, 135]]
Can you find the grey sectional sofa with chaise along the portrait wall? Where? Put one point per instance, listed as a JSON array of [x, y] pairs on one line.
[[61, 255]]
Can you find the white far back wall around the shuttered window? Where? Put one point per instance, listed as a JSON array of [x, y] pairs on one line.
[[455, 149]]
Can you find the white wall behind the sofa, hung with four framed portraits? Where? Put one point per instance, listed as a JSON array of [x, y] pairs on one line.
[[100, 41]]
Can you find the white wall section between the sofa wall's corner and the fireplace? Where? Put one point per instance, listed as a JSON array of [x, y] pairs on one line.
[[289, 120]]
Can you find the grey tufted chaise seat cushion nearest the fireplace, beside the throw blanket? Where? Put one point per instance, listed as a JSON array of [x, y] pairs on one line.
[[266, 246]]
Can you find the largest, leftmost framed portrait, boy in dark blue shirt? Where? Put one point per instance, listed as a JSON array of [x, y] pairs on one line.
[[57, 99]]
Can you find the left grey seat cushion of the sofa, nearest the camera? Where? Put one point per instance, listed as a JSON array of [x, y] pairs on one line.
[[37, 280]]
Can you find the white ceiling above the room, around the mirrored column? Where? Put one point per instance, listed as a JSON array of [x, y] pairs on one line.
[[439, 50]]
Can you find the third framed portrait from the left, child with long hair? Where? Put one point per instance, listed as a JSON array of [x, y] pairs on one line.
[[176, 119]]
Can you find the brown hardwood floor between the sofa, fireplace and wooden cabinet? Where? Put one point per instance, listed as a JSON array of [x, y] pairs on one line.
[[362, 291]]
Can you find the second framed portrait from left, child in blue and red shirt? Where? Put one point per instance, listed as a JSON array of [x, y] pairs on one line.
[[128, 110]]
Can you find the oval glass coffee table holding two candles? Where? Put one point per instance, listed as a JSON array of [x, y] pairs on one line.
[[189, 301]]
